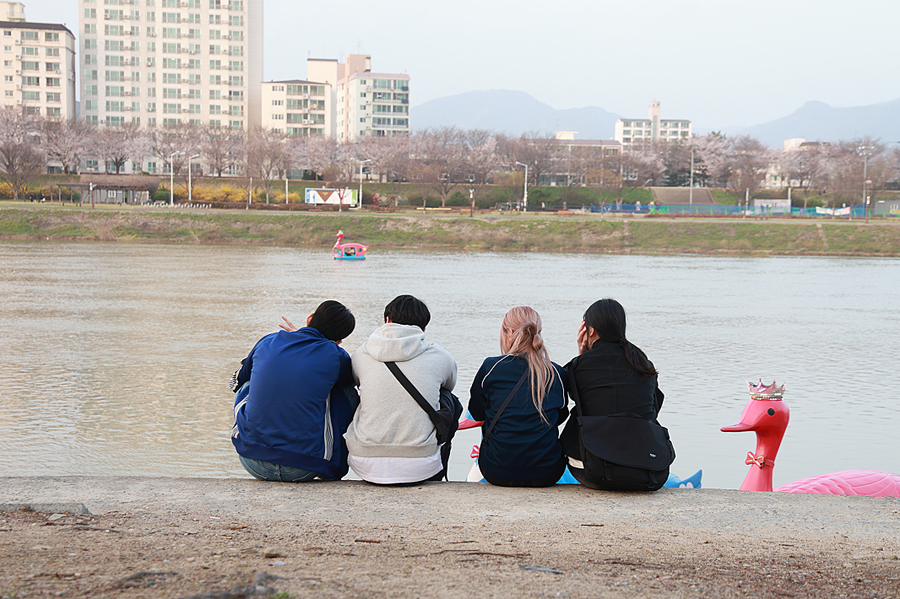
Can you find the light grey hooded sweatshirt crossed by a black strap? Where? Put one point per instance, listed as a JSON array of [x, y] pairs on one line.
[[389, 422]]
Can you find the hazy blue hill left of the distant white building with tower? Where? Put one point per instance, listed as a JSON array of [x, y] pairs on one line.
[[513, 113]]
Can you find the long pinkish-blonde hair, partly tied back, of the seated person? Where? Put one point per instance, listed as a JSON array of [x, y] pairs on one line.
[[520, 334]]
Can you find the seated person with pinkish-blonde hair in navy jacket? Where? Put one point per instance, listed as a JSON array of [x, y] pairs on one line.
[[521, 398]]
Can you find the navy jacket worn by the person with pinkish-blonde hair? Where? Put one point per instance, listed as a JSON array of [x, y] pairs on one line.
[[522, 447]]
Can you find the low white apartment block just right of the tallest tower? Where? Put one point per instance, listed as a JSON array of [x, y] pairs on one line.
[[297, 107]]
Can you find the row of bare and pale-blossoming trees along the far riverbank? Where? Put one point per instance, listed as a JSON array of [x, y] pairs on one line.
[[442, 160]]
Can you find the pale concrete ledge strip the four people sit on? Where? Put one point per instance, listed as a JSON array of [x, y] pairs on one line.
[[358, 503]]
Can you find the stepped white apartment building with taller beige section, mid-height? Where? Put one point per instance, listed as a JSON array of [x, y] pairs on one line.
[[362, 103]]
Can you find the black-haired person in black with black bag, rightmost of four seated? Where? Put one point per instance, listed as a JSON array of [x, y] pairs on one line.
[[617, 401]]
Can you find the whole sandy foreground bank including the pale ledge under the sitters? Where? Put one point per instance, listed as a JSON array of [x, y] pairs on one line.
[[217, 538]]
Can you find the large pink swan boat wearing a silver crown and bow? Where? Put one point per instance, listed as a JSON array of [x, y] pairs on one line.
[[768, 415]]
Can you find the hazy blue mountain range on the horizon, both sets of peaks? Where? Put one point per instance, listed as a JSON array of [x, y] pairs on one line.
[[516, 112]]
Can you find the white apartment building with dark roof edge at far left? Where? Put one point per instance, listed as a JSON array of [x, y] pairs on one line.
[[38, 70]]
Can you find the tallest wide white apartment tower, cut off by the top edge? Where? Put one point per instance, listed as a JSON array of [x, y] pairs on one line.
[[166, 62]]
